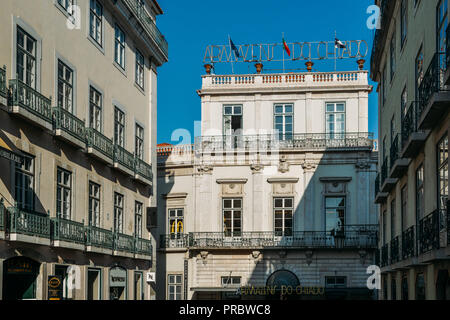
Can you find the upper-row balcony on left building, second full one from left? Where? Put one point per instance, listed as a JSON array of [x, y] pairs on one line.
[[69, 128]]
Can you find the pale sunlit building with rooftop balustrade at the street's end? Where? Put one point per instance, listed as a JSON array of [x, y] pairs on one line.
[[277, 191]]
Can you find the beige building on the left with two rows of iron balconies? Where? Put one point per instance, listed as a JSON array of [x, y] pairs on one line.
[[77, 134]]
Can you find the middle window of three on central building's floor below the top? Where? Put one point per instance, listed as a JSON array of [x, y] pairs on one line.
[[283, 216]]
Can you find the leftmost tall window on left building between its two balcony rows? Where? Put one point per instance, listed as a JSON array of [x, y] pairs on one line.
[[24, 190]]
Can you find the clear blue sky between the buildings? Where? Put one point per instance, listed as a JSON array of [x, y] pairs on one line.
[[190, 26]]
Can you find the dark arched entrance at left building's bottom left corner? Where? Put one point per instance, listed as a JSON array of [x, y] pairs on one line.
[[19, 278]]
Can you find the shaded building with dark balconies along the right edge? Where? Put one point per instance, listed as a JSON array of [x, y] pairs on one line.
[[410, 62]]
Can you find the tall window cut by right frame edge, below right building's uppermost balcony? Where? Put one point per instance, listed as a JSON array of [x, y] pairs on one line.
[[442, 166]]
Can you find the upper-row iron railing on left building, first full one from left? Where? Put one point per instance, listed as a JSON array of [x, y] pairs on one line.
[[28, 98]]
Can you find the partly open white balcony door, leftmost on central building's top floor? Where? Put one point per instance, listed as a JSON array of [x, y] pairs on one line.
[[232, 125]]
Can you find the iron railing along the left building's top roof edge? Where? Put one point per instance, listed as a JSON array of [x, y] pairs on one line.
[[137, 8]]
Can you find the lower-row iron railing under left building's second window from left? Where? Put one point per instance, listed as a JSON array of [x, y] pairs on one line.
[[67, 230]]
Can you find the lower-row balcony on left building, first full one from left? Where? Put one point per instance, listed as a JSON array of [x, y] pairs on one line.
[[31, 227]]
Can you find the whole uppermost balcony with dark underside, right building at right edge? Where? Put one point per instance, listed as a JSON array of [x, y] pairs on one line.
[[433, 94]]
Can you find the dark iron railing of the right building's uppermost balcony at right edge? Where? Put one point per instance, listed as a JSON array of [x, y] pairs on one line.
[[433, 81]]
